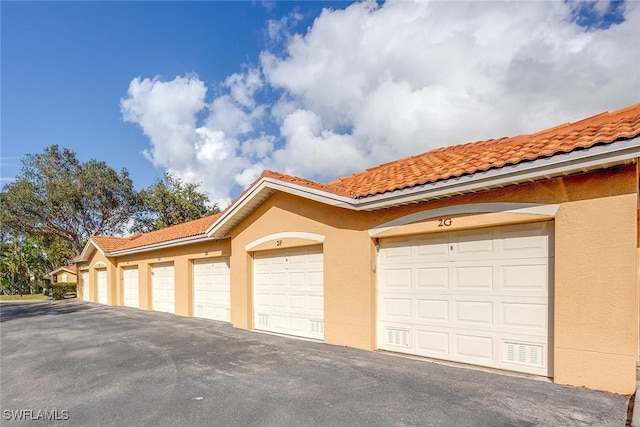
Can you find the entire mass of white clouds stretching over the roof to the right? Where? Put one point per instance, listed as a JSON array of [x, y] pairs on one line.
[[371, 83]]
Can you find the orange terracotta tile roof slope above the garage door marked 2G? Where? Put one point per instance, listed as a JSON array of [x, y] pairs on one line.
[[450, 162]]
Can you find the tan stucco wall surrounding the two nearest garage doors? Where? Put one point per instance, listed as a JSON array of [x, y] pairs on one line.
[[596, 282]]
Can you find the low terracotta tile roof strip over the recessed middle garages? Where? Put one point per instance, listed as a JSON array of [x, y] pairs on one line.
[[187, 229]]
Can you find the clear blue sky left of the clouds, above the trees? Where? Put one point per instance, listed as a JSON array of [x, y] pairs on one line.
[[66, 65]]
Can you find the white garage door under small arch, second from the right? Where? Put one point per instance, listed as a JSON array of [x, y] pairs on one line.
[[288, 292]]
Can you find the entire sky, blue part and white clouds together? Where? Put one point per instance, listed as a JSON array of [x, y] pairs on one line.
[[217, 91]]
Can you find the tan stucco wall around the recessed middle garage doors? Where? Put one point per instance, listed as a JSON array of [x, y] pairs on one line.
[[182, 258]]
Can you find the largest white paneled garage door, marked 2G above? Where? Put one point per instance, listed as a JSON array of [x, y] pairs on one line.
[[482, 297]]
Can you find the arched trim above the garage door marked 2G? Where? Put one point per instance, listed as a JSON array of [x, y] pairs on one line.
[[530, 211]]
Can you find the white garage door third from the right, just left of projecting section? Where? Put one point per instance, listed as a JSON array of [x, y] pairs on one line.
[[211, 289]]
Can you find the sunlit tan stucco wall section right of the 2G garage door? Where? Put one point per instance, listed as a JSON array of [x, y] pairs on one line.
[[596, 294]]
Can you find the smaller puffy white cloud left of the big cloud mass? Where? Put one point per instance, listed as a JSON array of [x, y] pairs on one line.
[[167, 113]]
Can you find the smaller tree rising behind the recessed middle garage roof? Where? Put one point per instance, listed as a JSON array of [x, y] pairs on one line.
[[171, 201]]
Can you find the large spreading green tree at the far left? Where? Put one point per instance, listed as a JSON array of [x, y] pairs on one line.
[[58, 198]]
